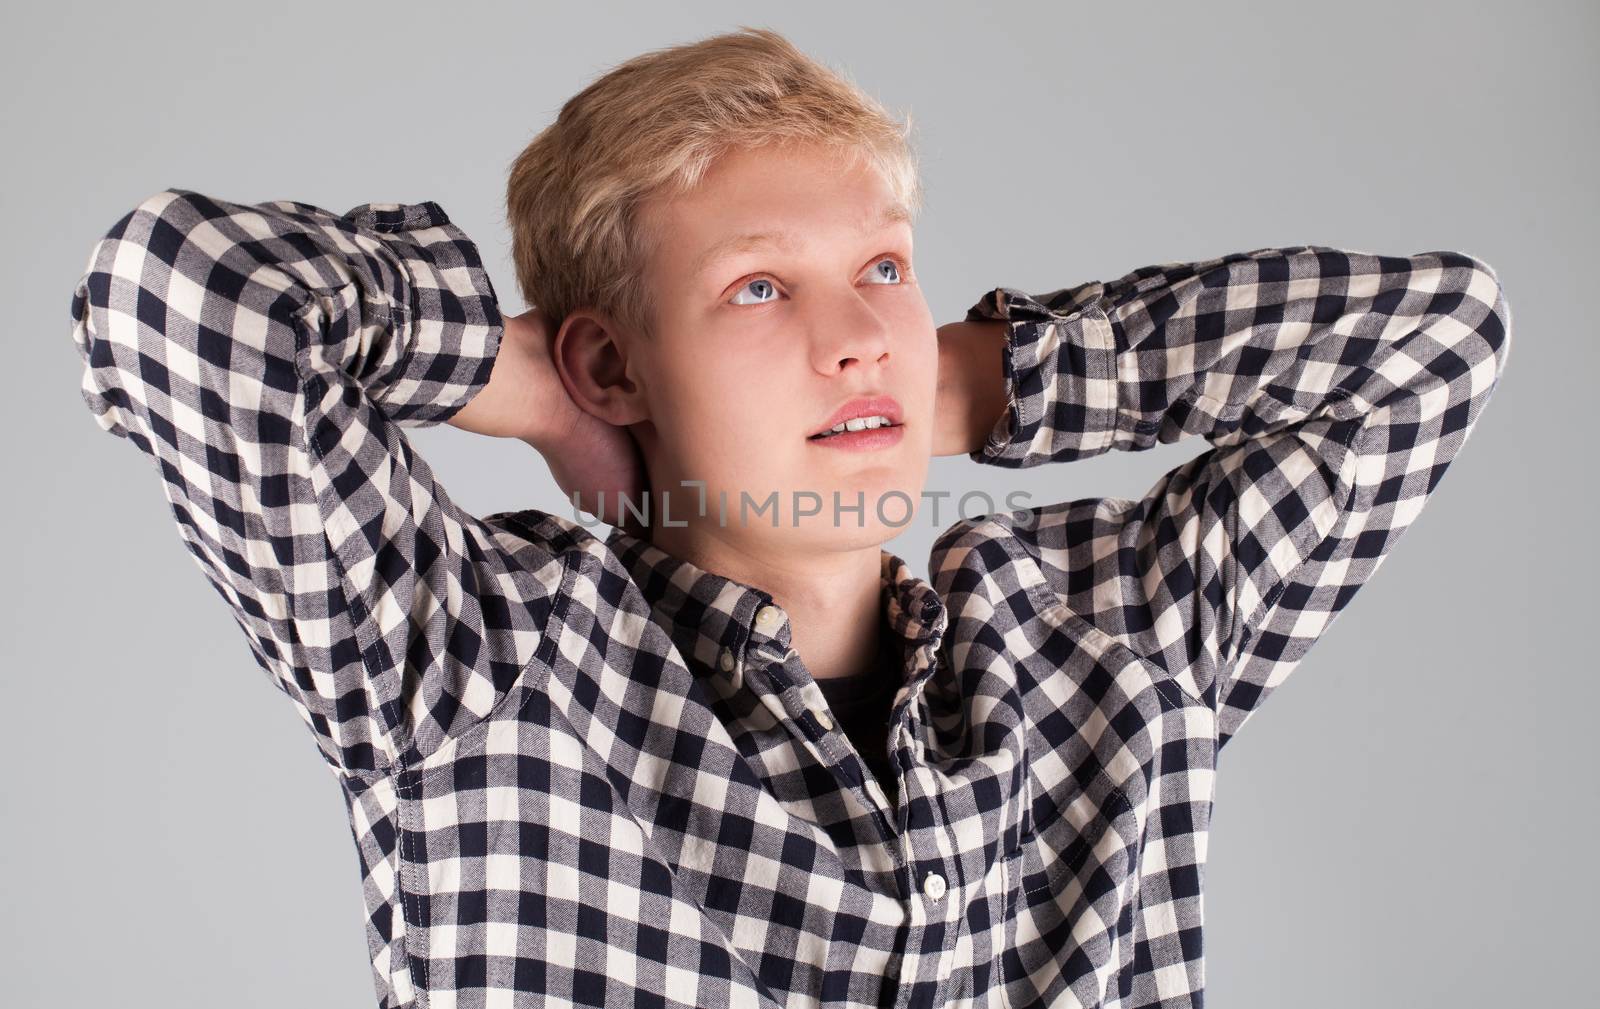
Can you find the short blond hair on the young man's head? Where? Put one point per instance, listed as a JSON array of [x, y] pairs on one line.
[[654, 126]]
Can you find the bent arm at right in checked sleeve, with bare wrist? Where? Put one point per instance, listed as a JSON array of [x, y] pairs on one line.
[[1335, 389]]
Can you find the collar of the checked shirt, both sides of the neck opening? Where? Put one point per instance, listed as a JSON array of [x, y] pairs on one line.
[[706, 613]]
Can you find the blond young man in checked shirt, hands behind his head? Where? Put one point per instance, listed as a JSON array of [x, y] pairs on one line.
[[746, 762]]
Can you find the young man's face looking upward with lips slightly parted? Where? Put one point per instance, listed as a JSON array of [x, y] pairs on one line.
[[758, 346]]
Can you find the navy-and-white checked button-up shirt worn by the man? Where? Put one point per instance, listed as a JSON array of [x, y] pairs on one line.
[[580, 770]]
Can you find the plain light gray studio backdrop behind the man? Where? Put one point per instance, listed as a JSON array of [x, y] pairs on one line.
[[1409, 823]]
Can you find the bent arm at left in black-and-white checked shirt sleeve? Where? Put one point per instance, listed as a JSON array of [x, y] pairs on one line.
[[268, 359]]
